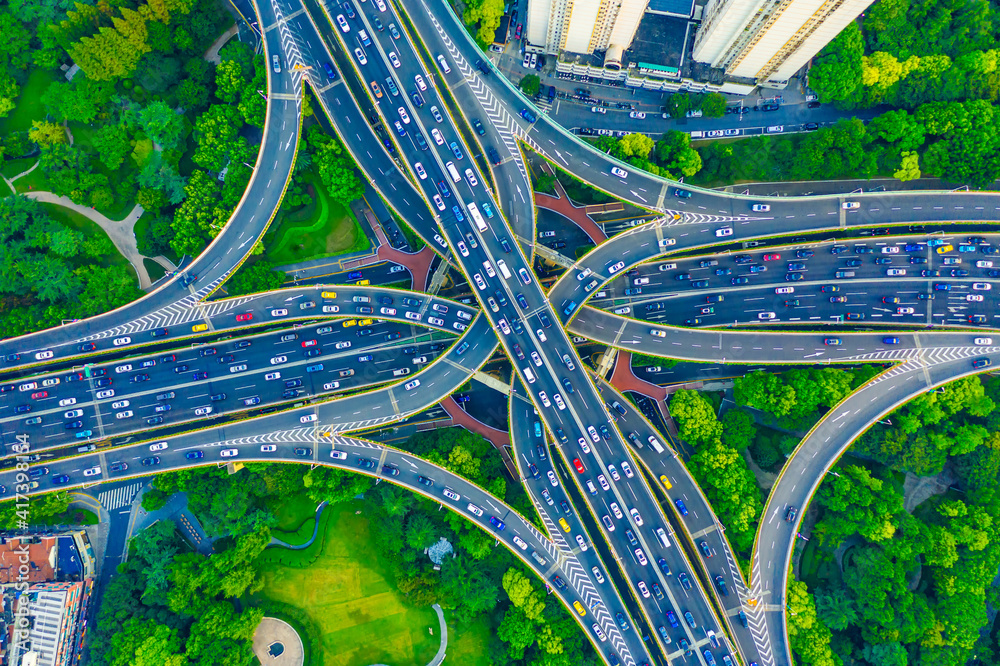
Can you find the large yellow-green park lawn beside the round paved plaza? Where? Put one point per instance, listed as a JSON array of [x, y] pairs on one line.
[[338, 590]]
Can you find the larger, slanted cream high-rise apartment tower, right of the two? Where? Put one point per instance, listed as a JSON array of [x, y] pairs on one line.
[[770, 40]]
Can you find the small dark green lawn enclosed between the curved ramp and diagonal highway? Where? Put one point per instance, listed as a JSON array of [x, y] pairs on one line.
[[323, 228]]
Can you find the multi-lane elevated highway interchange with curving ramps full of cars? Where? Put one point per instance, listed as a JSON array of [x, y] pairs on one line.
[[586, 443]]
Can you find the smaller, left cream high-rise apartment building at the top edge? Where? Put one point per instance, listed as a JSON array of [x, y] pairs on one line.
[[583, 26]]
